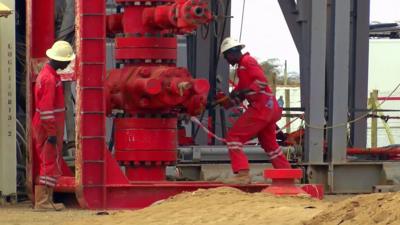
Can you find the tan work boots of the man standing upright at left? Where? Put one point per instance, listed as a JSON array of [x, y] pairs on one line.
[[43, 201]]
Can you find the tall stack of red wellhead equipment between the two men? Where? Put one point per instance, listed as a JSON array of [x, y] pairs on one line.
[[150, 84]]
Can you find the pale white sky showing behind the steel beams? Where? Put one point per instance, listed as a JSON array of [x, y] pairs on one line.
[[266, 35]]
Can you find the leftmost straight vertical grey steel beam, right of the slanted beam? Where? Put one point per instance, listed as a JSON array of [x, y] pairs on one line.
[[315, 104]]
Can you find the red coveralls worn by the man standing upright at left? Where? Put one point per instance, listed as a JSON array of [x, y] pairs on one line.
[[48, 121]]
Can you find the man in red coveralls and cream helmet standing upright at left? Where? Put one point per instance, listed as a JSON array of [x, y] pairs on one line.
[[48, 124]]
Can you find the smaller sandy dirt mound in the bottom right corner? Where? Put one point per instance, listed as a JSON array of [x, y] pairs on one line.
[[368, 209]]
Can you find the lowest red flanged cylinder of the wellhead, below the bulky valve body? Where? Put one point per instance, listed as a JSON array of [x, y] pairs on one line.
[[145, 146]]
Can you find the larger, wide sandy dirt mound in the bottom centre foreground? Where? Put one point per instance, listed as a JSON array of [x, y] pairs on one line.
[[217, 206]]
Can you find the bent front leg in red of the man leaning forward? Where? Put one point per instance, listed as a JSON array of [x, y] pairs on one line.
[[245, 128]]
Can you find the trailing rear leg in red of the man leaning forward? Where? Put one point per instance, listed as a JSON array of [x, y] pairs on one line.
[[267, 138]]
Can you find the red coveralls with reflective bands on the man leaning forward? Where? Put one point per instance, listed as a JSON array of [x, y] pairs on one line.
[[258, 120]]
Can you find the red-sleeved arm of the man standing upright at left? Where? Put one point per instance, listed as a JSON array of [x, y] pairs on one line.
[[45, 105]]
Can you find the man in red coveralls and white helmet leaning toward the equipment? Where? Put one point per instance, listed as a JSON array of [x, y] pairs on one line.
[[260, 117]]
